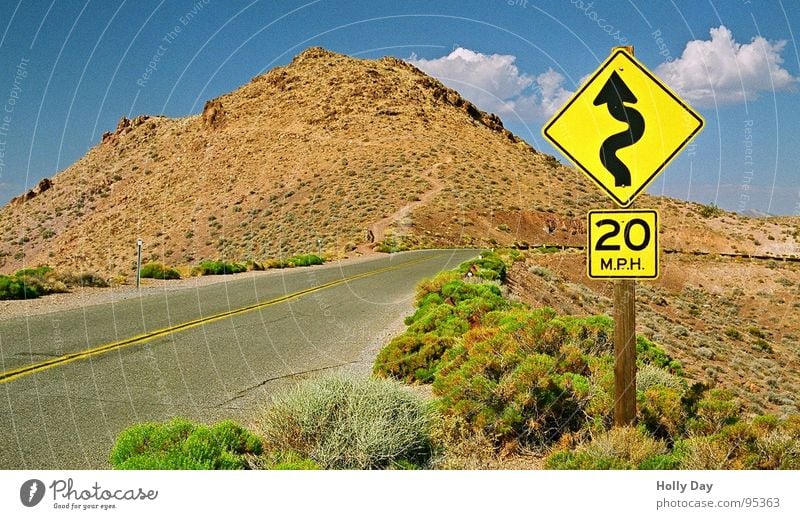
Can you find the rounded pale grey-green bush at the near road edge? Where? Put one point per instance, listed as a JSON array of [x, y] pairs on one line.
[[346, 423]]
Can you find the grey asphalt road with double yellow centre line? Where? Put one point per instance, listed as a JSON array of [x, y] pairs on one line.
[[69, 383]]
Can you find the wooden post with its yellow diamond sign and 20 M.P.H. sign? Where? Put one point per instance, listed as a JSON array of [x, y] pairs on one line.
[[621, 128]]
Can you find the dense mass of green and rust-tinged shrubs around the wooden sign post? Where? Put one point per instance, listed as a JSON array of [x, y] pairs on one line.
[[513, 380]]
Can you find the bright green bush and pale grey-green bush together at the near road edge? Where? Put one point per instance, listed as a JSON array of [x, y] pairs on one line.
[[337, 422]]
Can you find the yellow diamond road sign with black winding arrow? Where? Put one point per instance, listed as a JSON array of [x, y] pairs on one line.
[[623, 127]]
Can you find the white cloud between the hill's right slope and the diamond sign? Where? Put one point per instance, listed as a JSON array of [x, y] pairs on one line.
[[495, 84]]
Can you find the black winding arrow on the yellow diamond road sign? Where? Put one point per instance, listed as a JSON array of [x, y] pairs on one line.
[[614, 94]]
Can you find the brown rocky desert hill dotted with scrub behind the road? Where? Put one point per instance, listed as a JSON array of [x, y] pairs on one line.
[[326, 148]]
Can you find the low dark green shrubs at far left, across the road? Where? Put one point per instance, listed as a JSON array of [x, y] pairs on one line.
[[31, 283]]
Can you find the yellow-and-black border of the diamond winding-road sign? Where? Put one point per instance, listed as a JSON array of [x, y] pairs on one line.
[[701, 124]]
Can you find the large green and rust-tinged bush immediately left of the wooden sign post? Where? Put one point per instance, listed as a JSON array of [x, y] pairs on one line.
[[528, 376]]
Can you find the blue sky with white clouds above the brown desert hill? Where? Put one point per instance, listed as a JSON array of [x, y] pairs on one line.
[[69, 69]]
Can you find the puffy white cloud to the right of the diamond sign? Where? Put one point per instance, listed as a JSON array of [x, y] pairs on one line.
[[723, 71]]
